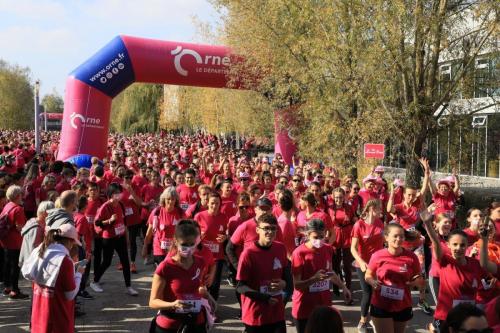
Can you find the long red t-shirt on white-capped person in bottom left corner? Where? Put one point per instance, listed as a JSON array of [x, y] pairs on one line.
[[51, 311]]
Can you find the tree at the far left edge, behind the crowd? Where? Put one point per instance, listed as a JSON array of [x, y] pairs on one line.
[[16, 97]]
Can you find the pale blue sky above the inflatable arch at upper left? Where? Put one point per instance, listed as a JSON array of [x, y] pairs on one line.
[[54, 37]]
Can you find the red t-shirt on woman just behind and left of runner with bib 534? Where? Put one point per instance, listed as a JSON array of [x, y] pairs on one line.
[[370, 237]]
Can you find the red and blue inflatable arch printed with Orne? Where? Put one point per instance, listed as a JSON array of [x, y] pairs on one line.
[[91, 87]]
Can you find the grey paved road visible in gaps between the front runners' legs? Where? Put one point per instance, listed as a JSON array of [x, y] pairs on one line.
[[114, 311]]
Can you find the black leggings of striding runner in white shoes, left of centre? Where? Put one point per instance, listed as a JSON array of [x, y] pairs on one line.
[[109, 246]]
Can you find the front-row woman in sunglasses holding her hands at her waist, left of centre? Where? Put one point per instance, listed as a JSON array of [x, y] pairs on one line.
[[177, 291]]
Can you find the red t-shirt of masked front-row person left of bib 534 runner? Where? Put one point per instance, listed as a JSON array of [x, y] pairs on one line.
[[306, 262]]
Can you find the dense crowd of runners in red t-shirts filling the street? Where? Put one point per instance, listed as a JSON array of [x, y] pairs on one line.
[[205, 210]]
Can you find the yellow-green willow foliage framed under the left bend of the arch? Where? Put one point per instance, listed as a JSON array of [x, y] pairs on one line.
[[137, 109]]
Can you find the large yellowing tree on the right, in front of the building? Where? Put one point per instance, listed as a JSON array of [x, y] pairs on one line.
[[361, 70]]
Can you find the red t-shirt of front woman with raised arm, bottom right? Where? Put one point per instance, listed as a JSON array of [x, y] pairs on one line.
[[457, 283]]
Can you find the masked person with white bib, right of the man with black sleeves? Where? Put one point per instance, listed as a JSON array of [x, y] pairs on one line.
[[312, 274]]
